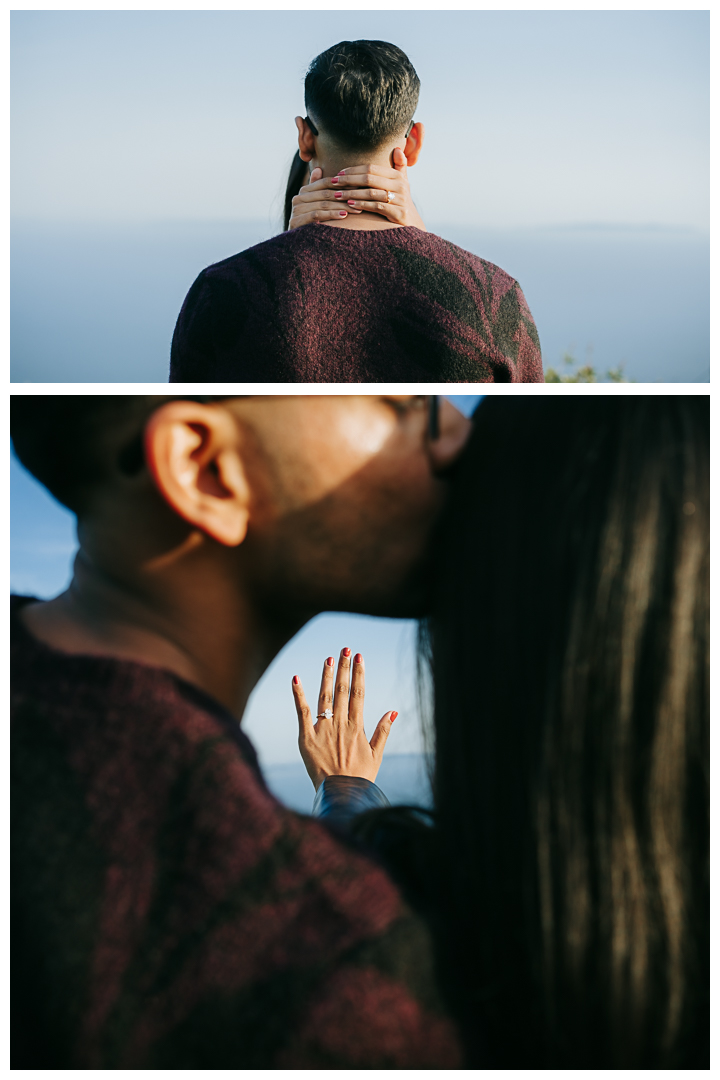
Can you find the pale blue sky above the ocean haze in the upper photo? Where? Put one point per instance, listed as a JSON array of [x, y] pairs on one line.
[[534, 118]]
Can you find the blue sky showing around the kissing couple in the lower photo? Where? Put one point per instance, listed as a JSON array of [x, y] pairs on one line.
[[43, 547]]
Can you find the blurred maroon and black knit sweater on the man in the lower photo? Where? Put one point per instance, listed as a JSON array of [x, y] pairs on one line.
[[168, 912]]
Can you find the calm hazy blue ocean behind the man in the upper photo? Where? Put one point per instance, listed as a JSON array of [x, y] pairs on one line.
[[99, 303]]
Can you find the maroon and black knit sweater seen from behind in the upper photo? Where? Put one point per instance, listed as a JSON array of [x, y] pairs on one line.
[[328, 305]]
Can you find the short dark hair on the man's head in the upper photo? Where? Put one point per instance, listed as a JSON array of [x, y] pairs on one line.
[[362, 93]]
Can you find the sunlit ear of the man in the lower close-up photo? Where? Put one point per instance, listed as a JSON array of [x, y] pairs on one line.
[[193, 453]]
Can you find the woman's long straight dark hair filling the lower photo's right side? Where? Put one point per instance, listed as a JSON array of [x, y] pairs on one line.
[[570, 656]]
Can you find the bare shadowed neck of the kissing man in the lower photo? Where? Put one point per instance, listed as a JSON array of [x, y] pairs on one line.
[[208, 634]]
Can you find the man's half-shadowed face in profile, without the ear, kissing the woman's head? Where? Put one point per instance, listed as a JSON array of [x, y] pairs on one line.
[[354, 490]]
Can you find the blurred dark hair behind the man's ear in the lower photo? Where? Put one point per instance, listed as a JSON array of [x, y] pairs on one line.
[[73, 442]]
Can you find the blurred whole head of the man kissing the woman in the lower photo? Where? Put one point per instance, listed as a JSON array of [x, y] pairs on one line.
[[314, 503]]
